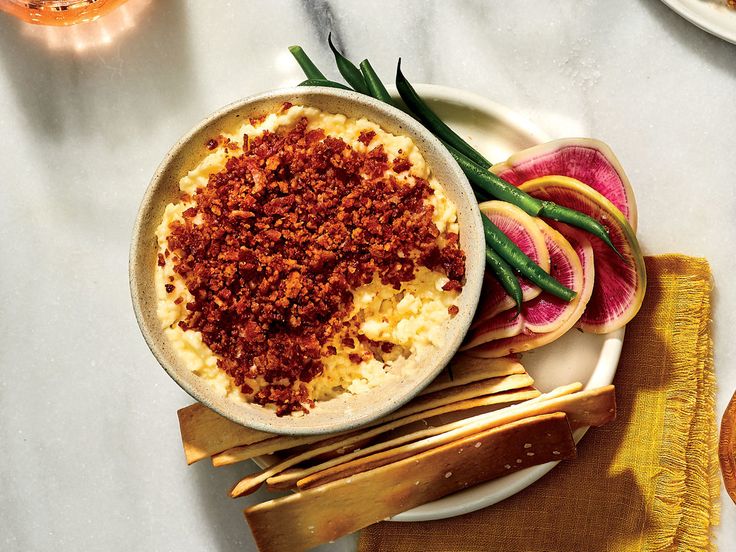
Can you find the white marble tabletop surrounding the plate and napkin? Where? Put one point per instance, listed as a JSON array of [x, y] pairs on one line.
[[91, 458]]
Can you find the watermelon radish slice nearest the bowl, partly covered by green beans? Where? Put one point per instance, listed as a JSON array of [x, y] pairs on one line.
[[524, 232]]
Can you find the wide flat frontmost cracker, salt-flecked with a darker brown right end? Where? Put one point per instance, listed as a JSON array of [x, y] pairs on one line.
[[303, 520]]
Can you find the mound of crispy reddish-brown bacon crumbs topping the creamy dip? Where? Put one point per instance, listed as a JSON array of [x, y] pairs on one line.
[[288, 229]]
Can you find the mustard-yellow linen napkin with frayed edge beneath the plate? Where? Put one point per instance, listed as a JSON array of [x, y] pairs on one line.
[[649, 480]]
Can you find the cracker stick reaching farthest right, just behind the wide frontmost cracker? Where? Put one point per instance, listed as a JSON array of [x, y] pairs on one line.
[[584, 408]]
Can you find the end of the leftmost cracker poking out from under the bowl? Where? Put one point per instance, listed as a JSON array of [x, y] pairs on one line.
[[204, 432]]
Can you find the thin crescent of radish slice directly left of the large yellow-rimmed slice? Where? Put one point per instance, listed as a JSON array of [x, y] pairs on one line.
[[528, 340]]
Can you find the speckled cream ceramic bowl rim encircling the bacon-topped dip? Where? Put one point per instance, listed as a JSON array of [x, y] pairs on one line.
[[163, 188]]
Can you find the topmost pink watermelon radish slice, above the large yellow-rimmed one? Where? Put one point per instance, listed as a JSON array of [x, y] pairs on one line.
[[590, 161]]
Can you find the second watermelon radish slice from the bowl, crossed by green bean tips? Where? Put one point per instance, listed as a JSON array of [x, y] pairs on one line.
[[545, 313]]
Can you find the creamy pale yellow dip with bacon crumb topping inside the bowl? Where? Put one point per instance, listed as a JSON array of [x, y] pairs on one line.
[[309, 255]]
